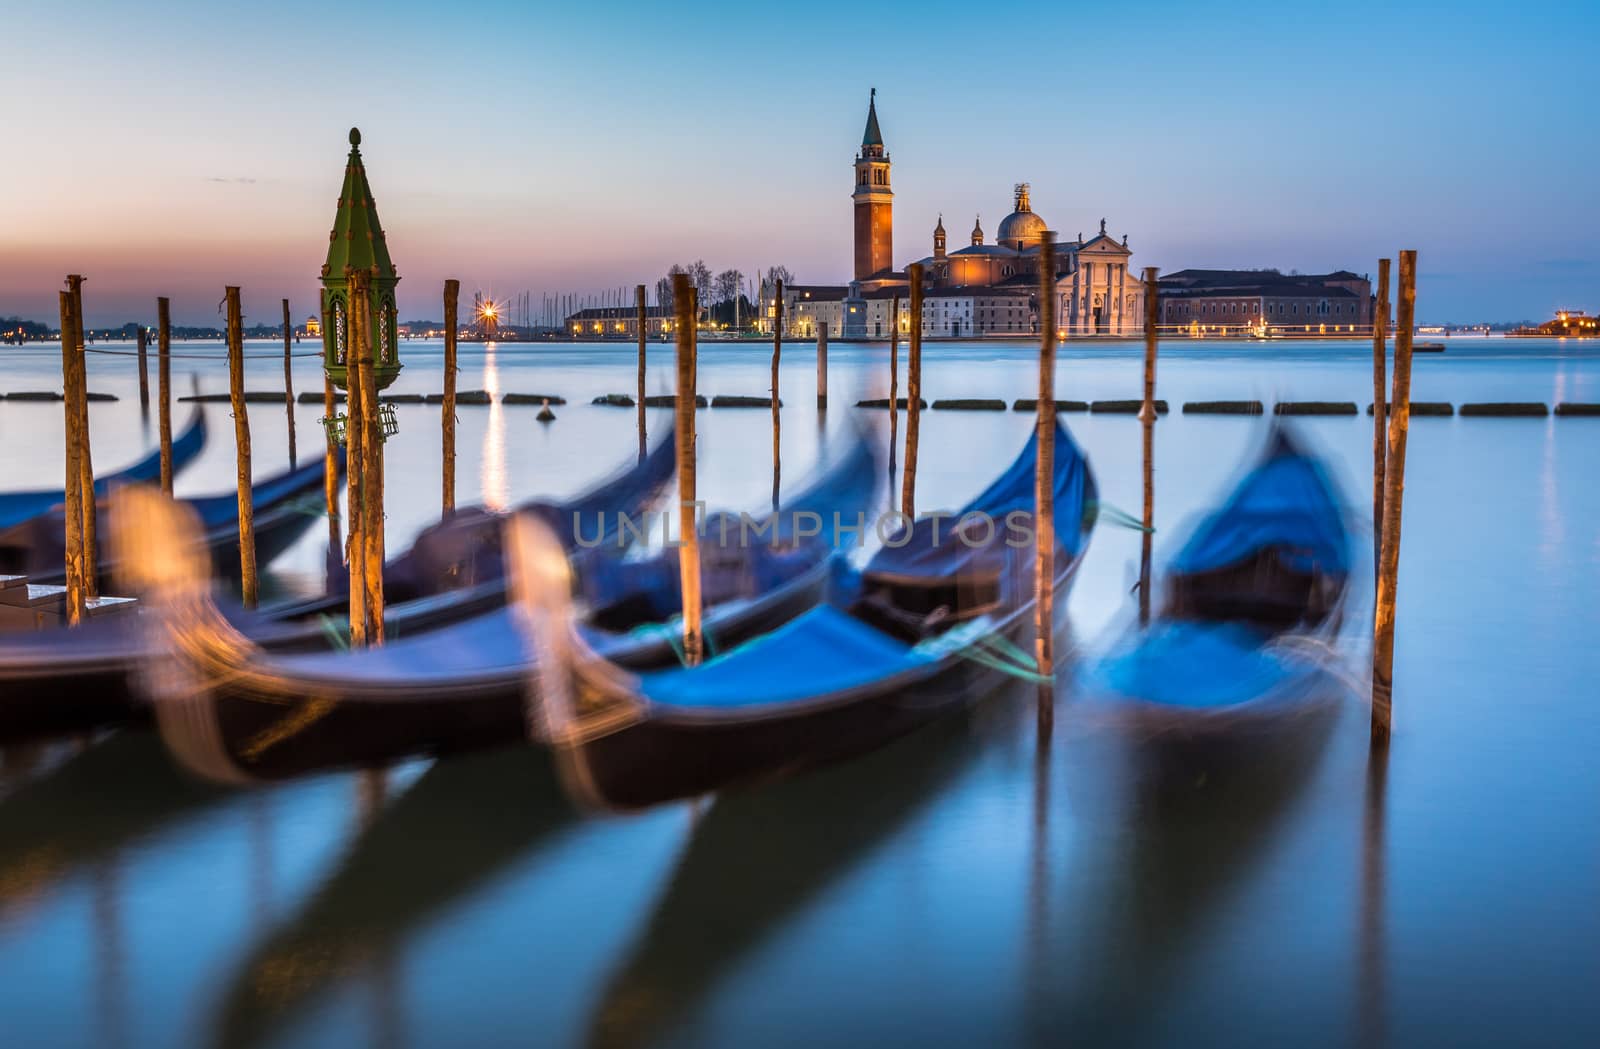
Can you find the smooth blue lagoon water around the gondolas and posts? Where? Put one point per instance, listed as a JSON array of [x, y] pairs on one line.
[[953, 890]]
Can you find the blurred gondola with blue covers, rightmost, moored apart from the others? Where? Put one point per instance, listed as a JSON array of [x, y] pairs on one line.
[[1239, 663]]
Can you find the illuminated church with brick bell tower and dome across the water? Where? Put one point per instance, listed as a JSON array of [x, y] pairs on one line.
[[977, 290]]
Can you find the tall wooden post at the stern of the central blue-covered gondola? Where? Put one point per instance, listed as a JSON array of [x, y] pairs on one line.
[[1044, 484]]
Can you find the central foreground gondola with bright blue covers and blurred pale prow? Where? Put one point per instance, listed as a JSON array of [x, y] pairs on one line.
[[930, 624]]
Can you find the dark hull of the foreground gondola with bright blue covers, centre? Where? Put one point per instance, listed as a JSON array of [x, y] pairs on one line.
[[673, 756]]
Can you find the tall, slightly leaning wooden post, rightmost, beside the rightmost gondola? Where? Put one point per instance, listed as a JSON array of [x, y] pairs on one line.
[[1394, 495]]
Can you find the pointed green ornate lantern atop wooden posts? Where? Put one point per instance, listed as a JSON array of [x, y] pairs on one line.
[[358, 244]]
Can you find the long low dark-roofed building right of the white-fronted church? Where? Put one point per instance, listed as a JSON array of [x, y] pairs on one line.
[[1266, 301]]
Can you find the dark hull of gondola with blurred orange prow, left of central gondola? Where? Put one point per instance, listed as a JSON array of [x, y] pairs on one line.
[[239, 733]]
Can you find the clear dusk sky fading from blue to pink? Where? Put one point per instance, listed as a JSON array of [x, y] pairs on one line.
[[180, 148]]
